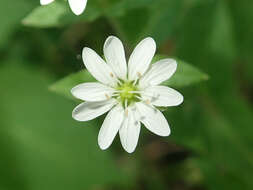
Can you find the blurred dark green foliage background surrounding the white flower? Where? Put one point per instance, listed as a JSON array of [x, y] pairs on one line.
[[43, 148]]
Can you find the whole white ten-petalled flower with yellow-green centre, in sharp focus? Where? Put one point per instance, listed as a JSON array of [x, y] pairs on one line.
[[130, 91]]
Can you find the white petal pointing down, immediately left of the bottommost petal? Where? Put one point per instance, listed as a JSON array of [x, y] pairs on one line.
[[110, 127]]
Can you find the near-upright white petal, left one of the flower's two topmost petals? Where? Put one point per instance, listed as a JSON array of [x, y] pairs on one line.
[[115, 56]]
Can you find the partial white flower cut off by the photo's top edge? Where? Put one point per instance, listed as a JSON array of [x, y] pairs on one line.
[[77, 6]]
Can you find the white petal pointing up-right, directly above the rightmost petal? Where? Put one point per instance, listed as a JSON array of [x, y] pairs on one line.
[[159, 72]]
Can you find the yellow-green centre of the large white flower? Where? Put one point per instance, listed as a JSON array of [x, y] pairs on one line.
[[128, 93]]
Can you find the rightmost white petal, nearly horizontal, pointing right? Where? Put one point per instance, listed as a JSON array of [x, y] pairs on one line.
[[162, 96]]
